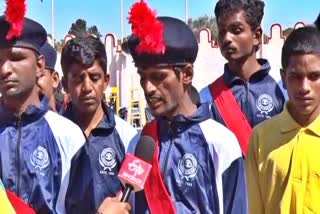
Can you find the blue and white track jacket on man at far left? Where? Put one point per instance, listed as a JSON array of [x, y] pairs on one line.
[[35, 155]]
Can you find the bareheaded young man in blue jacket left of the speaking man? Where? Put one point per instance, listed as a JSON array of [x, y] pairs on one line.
[[94, 172]]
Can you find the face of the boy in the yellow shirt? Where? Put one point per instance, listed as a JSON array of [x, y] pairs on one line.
[[302, 80]]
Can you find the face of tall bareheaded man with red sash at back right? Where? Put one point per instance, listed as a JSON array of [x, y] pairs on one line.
[[238, 44]]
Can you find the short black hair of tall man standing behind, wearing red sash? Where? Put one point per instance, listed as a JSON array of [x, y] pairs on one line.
[[253, 10]]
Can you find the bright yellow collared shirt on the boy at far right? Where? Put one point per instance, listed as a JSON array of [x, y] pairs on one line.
[[283, 167]]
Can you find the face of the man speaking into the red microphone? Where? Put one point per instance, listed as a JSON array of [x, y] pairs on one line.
[[165, 94]]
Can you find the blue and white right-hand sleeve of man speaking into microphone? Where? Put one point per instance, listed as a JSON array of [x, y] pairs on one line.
[[229, 168]]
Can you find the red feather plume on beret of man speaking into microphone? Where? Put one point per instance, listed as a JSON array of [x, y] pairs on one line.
[[146, 27]]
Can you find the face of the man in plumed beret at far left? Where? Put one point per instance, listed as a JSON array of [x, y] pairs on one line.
[[19, 70]]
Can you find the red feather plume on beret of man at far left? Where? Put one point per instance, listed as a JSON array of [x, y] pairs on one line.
[[15, 12]]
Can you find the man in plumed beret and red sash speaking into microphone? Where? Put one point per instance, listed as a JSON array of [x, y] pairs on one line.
[[197, 166]]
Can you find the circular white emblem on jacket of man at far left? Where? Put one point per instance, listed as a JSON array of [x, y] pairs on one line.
[[39, 158]]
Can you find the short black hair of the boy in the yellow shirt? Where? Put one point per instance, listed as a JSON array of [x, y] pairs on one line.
[[305, 40]]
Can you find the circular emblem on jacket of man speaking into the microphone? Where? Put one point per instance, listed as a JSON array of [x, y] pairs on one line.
[[188, 166]]
